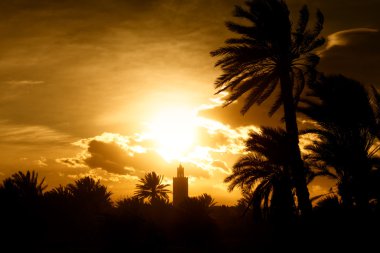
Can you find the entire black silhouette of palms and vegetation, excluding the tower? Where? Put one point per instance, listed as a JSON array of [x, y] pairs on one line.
[[339, 140]]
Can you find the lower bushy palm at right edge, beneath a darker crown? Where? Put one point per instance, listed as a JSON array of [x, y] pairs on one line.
[[349, 154]]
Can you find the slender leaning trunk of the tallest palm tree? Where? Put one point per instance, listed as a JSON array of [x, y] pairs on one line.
[[298, 170]]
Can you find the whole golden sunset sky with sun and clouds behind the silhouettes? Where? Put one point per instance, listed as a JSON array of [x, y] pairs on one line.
[[117, 88]]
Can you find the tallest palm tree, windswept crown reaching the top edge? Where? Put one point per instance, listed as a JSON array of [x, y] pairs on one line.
[[270, 53]]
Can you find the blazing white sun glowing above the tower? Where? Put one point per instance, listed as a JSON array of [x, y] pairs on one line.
[[173, 131]]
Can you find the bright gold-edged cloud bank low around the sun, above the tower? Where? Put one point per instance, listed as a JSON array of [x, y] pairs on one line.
[[217, 145]]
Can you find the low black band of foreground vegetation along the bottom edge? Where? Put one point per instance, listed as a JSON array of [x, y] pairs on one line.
[[80, 217]]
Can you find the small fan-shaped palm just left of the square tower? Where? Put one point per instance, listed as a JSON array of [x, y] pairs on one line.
[[150, 187]]
